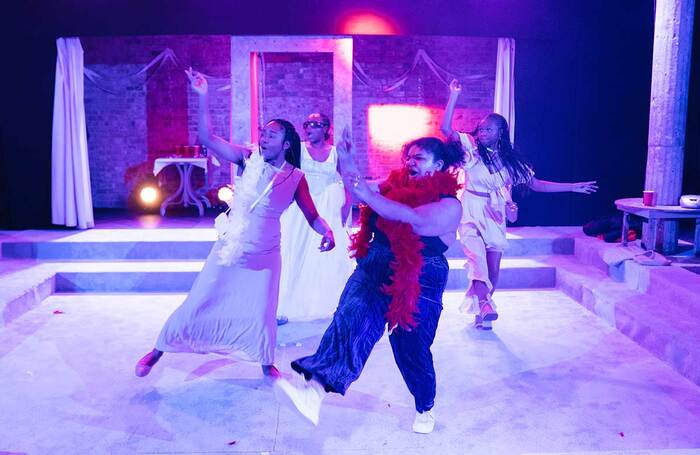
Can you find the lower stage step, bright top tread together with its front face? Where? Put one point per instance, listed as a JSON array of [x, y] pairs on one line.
[[178, 276]]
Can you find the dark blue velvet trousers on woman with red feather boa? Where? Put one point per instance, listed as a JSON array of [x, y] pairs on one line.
[[358, 323]]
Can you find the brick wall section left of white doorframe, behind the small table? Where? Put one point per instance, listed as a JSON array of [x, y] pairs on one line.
[[145, 118]]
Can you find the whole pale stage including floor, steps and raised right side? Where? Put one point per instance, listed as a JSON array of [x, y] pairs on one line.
[[593, 353]]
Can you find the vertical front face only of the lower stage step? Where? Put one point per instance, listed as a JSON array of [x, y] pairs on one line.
[[510, 278]]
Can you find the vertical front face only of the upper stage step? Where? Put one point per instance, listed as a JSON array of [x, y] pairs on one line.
[[101, 251]]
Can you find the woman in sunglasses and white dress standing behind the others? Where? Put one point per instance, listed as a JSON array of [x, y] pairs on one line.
[[311, 282]]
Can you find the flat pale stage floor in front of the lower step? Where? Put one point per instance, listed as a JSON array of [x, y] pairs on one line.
[[551, 378]]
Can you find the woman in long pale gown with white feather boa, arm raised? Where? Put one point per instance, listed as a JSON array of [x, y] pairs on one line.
[[232, 305]]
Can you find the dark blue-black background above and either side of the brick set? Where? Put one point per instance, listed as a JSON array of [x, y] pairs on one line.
[[583, 75]]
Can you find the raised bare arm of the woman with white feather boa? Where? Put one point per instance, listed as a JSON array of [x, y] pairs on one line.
[[218, 146]]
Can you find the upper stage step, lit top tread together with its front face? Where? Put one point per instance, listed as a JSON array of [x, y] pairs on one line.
[[195, 243]]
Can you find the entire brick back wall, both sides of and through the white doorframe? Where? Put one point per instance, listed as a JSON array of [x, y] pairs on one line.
[[145, 118]]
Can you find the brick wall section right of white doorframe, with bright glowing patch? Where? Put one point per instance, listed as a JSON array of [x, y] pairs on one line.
[[385, 58]]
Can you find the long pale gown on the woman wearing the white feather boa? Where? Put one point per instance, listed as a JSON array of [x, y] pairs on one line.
[[232, 309]]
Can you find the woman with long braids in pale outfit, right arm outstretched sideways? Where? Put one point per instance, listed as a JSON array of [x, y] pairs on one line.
[[492, 169]]
